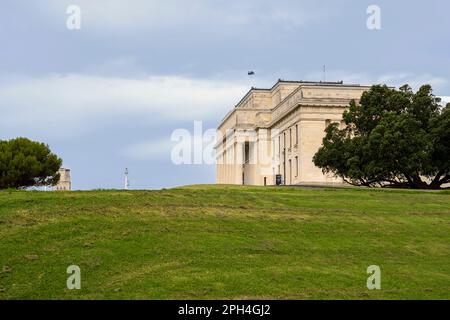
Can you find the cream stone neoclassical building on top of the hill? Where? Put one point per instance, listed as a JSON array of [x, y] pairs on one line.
[[276, 132]]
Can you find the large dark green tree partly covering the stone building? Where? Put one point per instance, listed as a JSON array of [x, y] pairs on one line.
[[392, 138]]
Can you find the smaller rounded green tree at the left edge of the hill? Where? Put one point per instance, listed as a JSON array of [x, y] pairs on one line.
[[25, 163]]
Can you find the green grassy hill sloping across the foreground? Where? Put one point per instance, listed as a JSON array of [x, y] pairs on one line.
[[208, 242]]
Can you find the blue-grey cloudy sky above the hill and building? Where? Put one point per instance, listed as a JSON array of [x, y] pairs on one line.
[[109, 95]]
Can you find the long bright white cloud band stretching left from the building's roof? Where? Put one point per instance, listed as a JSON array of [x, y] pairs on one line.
[[67, 105]]
